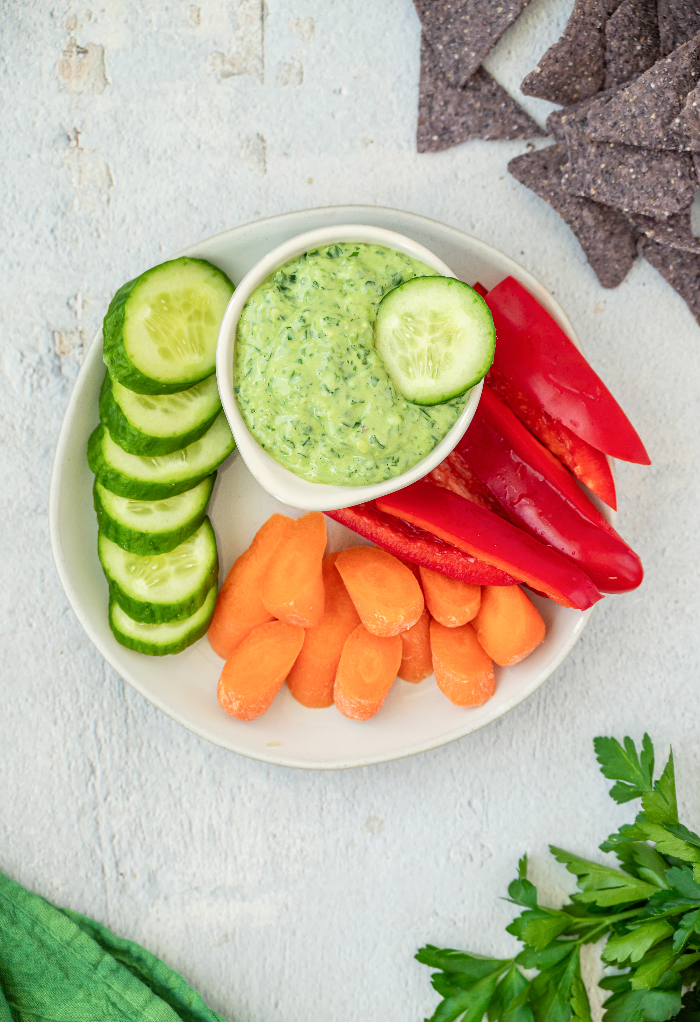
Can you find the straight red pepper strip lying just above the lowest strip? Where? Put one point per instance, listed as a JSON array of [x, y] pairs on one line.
[[491, 539]]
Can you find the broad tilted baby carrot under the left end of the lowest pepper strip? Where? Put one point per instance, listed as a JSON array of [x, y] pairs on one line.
[[385, 592]]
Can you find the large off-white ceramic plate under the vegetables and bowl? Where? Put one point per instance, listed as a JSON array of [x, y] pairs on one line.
[[415, 718]]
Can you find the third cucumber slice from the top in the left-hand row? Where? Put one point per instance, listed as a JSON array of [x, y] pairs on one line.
[[156, 479]]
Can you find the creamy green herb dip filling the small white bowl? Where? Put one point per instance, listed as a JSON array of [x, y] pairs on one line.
[[310, 385]]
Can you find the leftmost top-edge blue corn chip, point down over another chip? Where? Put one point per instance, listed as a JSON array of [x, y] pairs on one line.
[[463, 32]]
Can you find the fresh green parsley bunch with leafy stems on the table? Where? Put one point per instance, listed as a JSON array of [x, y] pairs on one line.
[[649, 909]]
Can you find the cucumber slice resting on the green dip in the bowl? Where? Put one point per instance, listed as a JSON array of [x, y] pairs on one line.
[[436, 337]]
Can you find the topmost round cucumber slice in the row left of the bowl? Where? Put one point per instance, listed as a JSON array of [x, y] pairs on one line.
[[161, 330]]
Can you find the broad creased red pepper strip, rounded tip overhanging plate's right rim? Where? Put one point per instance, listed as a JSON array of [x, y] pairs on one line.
[[542, 498]]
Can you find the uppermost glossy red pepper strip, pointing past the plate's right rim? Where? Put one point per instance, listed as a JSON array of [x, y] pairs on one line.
[[535, 355]]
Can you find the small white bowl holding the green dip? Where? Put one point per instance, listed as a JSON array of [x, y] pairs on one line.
[[278, 481]]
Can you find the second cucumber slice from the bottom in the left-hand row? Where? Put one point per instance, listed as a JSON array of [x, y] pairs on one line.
[[162, 587]]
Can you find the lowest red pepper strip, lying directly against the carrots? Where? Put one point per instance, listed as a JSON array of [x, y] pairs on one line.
[[418, 546]]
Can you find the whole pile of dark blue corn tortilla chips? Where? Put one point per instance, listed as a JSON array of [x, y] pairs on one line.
[[626, 165]]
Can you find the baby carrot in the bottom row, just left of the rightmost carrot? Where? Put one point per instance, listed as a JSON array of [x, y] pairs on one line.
[[463, 672]]
